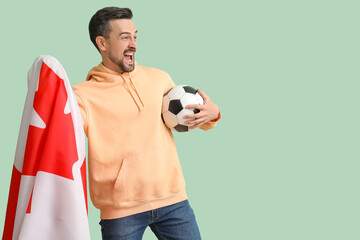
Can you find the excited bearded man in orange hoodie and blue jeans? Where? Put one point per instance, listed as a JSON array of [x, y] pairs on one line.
[[135, 176]]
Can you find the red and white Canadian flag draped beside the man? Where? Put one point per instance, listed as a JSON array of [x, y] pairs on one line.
[[47, 198]]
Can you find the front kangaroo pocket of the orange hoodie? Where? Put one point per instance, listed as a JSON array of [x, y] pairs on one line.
[[147, 176]]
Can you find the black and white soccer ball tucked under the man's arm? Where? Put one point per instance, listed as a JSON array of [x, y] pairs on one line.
[[173, 108]]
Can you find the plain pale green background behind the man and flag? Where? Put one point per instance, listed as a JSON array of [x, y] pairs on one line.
[[283, 163]]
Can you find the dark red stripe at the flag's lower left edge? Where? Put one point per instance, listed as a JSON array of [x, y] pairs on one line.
[[12, 204]]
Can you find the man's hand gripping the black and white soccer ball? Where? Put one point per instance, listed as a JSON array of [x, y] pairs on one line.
[[209, 111]]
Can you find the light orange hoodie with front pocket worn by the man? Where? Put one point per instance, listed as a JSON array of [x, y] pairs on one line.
[[132, 160]]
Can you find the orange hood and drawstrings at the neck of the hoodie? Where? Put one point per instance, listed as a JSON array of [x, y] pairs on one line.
[[101, 73]]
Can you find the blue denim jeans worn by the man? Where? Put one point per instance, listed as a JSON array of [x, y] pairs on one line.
[[174, 222]]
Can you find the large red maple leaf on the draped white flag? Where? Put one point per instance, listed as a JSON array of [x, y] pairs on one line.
[[51, 149]]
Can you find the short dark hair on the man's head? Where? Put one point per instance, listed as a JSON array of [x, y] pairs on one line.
[[99, 23]]
